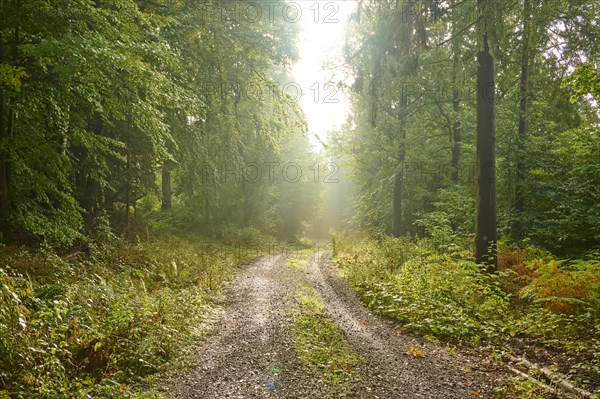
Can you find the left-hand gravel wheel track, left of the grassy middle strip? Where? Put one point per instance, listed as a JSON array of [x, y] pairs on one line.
[[251, 353]]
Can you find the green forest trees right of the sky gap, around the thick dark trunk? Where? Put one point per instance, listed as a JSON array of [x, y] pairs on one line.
[[410, 139]]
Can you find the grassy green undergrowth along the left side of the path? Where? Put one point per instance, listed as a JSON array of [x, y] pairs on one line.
[[110, 324]]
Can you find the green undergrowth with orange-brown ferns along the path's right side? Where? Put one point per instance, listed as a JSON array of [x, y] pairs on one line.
[[537, 304]]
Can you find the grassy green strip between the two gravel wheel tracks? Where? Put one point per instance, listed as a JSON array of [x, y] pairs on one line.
[[320, 345]]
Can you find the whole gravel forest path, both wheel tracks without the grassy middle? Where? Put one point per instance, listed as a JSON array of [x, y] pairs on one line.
[[251, 354]]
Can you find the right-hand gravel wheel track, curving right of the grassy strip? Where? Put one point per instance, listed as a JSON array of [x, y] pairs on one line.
[[388, 371]]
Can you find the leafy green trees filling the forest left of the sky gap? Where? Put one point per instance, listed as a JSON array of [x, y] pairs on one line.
[[94, 111]]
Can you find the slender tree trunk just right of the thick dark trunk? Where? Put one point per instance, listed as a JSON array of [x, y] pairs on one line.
[[523, 123]]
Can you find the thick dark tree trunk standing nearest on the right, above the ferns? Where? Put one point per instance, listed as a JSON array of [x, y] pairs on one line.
[[486, 236]]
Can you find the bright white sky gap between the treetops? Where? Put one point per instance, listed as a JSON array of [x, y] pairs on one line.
[[323, 26]]
